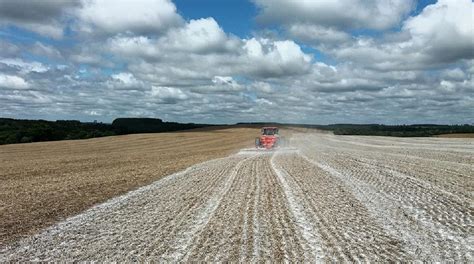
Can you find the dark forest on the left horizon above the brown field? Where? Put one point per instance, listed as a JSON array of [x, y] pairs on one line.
[[24, 131]]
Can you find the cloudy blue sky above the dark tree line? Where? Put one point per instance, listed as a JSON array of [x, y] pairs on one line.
[[214, 61]]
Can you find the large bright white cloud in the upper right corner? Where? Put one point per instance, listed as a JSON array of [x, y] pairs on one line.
[[440, 35]]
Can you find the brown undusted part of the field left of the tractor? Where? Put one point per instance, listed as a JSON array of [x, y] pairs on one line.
[[42, 183]]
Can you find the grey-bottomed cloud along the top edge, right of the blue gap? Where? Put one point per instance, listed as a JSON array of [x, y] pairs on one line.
[[342, 14]]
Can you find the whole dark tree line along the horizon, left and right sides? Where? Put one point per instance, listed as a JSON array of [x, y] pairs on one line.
[[24, 131]]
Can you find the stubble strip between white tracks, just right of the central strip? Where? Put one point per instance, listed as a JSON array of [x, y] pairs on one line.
[[347, 230]]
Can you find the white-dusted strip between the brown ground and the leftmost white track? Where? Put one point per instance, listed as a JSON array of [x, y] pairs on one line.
[[135, 226]]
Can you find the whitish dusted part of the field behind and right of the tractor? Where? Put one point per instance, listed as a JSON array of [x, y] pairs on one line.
[[327, 198]]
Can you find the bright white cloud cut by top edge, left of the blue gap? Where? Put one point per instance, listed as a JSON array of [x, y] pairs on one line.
[[120, 16]]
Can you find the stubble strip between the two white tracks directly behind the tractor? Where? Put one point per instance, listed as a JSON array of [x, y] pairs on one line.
[[253, 222]]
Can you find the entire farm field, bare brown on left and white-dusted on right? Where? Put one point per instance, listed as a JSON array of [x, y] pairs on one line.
[[323, 198]]
